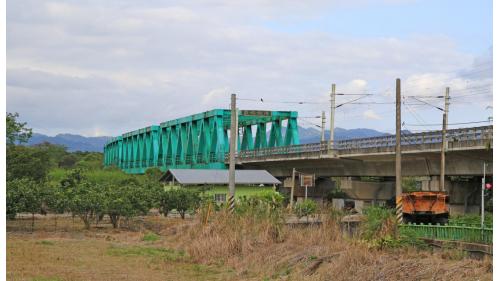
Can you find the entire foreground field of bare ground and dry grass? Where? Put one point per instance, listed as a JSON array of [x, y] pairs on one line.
[[158, 248]]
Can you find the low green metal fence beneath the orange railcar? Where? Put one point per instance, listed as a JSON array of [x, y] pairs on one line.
[[450, 232]]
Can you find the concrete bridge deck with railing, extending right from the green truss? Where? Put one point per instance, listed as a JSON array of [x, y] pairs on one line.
[[467, 150]]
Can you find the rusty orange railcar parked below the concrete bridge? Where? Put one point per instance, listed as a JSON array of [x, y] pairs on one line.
[[425, 206]]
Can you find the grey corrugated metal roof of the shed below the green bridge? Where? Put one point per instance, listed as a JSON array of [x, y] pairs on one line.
[[206, 176]]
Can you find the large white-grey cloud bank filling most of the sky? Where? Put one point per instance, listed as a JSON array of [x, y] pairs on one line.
[[121, 65]]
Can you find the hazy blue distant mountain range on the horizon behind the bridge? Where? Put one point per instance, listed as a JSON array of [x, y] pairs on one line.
[[81, 143]]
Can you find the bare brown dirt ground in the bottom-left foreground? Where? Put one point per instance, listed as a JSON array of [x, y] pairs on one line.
[[71, 253]]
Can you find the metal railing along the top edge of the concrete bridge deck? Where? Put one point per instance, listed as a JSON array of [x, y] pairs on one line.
[[465, 134]]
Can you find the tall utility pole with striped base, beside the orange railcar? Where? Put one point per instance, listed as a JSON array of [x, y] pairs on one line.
[[399, 190]]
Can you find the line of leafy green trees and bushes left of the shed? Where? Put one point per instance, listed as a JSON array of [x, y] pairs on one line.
[[46, 178]]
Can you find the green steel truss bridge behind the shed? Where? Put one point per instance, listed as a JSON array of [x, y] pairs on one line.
[[200, 140]]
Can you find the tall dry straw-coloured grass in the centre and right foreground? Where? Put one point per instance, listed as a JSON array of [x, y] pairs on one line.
[[261, 246]]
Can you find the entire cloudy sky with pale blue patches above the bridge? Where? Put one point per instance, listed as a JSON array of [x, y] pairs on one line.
[[102, 68]]
